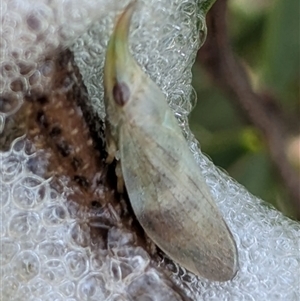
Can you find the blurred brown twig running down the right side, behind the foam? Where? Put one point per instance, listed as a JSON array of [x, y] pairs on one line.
[[262, 111]]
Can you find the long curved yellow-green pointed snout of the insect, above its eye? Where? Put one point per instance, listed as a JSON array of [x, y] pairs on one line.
[[118, 61]]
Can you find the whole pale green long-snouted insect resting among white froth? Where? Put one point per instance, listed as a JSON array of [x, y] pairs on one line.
[[165, 186]]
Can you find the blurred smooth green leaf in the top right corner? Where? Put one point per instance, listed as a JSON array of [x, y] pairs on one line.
[[281, 60]]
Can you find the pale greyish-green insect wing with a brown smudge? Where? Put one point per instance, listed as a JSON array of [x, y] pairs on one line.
[[172, 202]]
